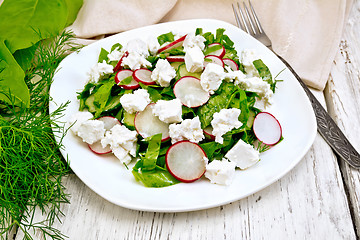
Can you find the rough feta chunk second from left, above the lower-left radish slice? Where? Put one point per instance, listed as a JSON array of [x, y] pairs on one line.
[[91, 131]]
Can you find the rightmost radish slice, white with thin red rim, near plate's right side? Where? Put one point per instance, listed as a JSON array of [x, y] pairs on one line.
[[267, 128]]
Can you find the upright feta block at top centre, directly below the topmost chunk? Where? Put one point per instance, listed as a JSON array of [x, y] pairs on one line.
[[194, 59]]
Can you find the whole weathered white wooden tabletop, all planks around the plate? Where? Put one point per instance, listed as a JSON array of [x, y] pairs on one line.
[[310, 202]]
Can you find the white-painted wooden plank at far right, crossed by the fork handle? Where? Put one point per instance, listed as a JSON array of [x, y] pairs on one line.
[[343, 99]]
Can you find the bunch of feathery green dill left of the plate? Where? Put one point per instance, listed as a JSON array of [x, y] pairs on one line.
[[31, 166]]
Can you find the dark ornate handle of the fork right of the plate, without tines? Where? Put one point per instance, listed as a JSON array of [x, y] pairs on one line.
[[328, 128]]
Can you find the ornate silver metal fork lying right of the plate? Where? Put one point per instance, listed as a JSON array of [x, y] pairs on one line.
[[248, 21]]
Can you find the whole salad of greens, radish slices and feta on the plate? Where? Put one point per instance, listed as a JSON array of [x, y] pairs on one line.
[[179, 107]]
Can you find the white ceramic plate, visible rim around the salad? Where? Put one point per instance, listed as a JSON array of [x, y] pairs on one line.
[[111, 180]]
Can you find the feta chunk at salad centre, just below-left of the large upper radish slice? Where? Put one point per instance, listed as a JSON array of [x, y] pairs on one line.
[[168, 111]]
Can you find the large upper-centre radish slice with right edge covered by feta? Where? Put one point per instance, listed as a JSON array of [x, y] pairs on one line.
[[190, 92]]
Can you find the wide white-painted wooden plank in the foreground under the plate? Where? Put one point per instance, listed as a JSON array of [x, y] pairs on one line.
[[308, 203]]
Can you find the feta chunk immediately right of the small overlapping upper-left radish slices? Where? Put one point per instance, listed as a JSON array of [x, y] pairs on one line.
[[163, 73]]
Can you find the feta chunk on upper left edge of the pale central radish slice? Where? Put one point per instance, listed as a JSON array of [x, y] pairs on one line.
[[136, 101]]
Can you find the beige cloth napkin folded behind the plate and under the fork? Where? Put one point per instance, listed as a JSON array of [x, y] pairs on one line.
[[304, 32]]
